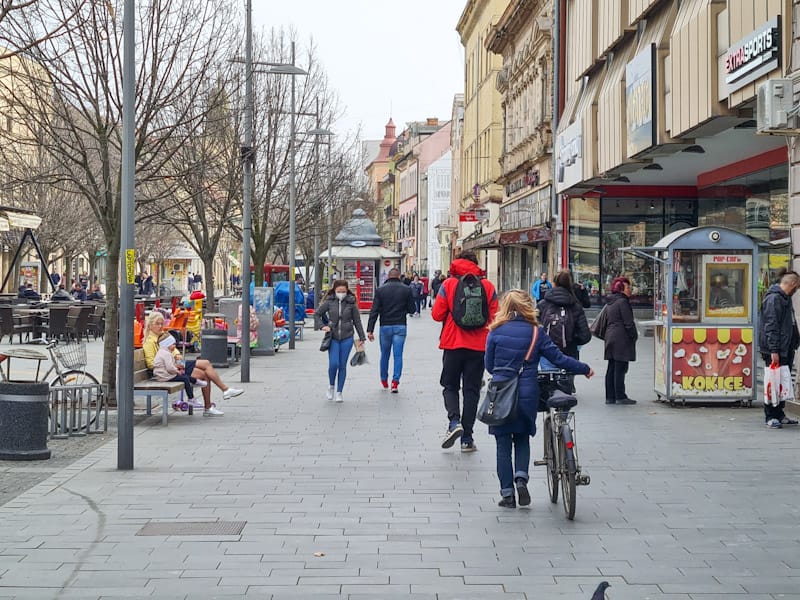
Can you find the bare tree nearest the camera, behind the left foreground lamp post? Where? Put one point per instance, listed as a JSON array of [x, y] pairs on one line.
[[76, 114]]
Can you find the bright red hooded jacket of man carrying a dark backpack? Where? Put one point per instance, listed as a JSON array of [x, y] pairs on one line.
[[454, 337]]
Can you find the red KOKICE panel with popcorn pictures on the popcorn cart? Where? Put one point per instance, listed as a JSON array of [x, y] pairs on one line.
[[712, 362]]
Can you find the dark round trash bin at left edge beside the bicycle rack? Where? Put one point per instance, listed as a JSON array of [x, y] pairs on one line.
[[24, 410]]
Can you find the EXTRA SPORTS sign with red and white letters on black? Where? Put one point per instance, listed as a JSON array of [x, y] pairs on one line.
[[754, 56]]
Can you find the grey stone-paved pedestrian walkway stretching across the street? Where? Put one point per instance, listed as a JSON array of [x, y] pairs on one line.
[[357, 500]]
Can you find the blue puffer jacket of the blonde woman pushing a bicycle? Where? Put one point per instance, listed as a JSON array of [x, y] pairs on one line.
[[506, 346]]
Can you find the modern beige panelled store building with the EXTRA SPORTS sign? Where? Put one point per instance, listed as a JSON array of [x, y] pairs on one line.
[[658, 130]]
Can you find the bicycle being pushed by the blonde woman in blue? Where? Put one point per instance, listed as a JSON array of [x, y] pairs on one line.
[[560, 447]]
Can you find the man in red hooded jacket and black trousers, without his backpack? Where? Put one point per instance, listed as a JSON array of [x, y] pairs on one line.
[[463, 353]]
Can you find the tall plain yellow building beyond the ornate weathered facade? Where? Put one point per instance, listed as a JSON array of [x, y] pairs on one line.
[[482, 135]]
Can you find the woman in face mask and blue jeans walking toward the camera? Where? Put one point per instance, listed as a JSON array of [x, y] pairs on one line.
[[339, 314]]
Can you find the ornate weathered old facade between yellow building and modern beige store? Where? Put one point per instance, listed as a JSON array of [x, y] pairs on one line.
[[522, 36]]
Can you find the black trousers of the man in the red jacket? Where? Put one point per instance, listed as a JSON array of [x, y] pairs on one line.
[[462, 369]]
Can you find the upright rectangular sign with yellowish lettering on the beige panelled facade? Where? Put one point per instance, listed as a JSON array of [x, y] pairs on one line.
[[640, 89]]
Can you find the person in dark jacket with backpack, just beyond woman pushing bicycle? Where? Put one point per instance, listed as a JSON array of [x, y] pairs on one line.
[[562, 318]]
